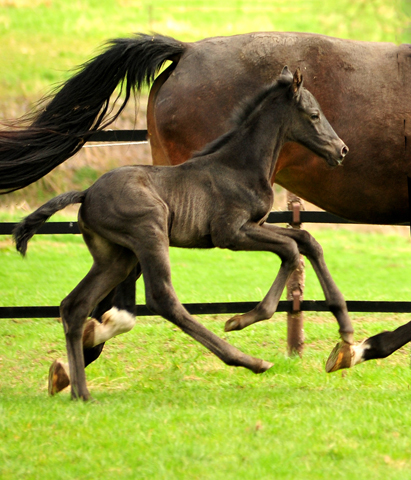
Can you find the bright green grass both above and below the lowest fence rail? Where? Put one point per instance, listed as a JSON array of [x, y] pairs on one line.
[[168, 409]]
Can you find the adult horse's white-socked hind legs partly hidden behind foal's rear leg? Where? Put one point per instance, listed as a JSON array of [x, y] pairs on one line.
[[106, 322]]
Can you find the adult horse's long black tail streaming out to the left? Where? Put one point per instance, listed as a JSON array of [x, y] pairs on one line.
[[36, 144]]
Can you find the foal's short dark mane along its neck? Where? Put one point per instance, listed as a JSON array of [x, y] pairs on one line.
[[241, 114]]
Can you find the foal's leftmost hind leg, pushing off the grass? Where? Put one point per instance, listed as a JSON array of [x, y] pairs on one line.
[[112, 264]]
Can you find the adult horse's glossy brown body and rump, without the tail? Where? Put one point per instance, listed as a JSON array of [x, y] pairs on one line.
[[367, 99]]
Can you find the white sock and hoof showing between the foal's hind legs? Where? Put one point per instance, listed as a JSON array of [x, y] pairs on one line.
[[114, 322]]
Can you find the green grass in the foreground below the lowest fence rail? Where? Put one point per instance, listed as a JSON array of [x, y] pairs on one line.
[[168, 410]]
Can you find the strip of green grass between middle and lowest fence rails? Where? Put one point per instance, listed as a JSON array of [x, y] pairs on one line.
[[369, 266]]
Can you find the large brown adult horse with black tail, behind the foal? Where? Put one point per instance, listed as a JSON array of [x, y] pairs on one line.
[[366, 97]]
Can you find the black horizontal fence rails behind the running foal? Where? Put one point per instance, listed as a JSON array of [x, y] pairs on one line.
[[201, 308]]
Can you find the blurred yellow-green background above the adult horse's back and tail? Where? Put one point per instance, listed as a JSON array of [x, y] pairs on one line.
[[41, 39]]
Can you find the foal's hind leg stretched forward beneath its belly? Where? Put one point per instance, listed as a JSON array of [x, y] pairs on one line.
[[162, 300]]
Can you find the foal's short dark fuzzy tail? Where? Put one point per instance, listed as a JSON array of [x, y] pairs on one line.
[[29, 225]]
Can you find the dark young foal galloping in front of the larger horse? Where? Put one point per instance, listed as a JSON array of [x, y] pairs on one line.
[[220, 198]]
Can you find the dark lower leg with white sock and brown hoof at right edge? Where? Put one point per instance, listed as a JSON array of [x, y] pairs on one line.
[[379, 346]]
